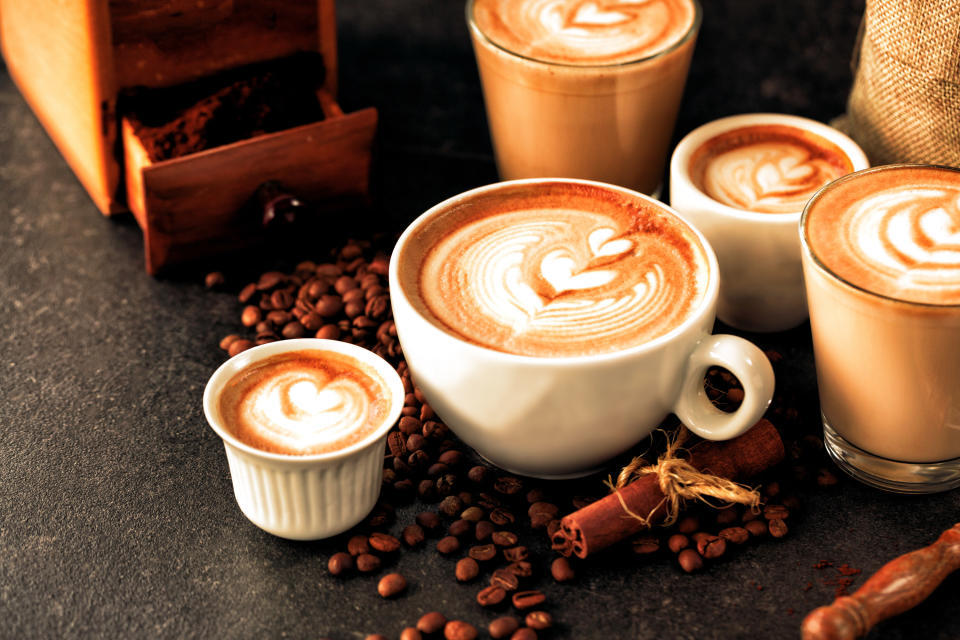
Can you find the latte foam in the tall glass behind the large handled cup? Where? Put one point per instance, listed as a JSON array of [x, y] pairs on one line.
[[589, 33]]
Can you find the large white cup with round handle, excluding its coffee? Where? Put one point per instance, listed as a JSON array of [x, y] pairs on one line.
[[556, 417]]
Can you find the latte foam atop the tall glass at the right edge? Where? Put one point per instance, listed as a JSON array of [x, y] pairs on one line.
[[895, 232]]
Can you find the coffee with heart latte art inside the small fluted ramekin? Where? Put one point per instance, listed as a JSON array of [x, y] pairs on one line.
[[304, 402]]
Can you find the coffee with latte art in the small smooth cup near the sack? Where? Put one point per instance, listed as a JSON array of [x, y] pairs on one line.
[[766, 168]]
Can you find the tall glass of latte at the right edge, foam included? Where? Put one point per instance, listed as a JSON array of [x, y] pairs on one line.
[[881, 261]]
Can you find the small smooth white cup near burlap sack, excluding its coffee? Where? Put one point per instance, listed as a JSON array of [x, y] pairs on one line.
[[759, 253]]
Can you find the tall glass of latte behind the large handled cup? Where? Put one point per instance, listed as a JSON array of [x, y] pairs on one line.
[[583, 89]]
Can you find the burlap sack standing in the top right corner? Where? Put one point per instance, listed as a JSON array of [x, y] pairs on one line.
[[904, 105]]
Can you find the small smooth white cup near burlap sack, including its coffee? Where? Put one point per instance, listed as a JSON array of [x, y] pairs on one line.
[[743, 181]]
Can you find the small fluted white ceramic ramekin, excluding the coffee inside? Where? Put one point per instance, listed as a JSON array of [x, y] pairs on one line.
[[313, 496]]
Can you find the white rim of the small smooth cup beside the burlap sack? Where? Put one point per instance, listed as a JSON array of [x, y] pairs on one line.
[[688, 145]]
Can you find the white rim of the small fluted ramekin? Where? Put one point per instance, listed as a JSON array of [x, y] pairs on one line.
[[228, 369]]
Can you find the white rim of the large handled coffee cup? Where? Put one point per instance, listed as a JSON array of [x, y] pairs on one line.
[[706, 305]]
